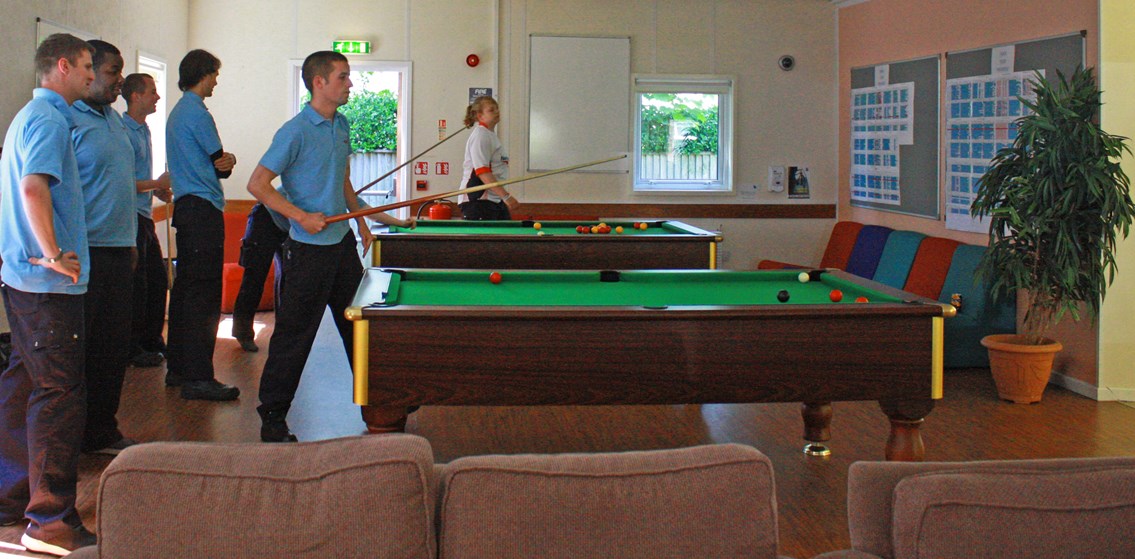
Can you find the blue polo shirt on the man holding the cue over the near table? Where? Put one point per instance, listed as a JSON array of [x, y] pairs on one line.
[[310, 155]]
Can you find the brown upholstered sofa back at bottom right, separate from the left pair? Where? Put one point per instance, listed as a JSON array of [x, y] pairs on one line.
[[1040, 509]]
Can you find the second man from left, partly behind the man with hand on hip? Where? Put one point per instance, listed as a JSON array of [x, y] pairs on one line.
[[106, 170]]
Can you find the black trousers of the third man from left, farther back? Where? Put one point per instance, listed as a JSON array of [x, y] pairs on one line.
[[152, 284]]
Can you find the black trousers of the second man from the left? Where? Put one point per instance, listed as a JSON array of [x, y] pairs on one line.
[[107, 308]]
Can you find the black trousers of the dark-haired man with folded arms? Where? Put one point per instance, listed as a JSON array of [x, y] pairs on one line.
[[195, 302]]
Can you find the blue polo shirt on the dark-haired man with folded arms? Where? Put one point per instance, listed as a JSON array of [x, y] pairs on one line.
[[191, 138]]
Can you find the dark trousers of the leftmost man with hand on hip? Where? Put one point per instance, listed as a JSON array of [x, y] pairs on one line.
[[43, 411]]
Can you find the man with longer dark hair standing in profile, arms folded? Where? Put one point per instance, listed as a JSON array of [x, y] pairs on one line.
[[197, 165]]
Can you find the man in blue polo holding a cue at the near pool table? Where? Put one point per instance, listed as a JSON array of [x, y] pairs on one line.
[[321, 264]]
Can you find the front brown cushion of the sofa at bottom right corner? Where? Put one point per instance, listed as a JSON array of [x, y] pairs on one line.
[[1074, 513]]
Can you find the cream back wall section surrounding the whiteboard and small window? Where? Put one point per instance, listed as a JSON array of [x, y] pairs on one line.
[[781, 118]]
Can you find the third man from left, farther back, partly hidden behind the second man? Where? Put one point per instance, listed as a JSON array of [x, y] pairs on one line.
[[150, 281]]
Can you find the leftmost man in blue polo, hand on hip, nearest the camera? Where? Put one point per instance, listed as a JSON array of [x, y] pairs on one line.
[[45, 275]]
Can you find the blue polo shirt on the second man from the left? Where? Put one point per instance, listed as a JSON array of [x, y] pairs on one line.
[[106, 170]]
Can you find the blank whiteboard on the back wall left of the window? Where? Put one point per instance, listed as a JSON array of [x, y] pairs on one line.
[[578, 101]]
